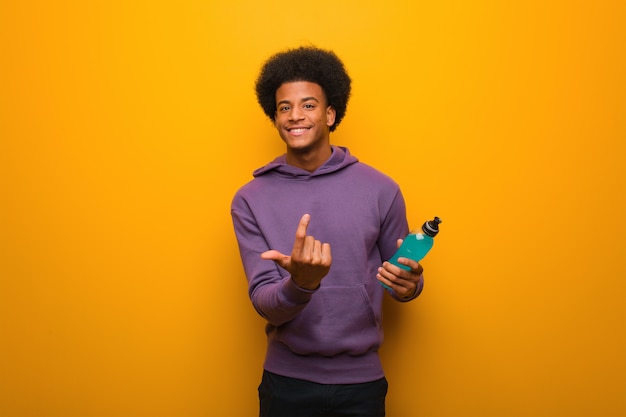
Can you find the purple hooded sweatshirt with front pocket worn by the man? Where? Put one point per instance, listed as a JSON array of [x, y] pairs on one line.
[[330, 335]]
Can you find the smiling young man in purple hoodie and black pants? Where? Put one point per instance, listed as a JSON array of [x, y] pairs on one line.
[[315, 227]]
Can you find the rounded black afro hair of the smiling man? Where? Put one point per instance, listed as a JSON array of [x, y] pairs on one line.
[[306, 63]]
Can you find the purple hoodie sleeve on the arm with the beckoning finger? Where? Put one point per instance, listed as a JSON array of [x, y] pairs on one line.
[[273, 293]]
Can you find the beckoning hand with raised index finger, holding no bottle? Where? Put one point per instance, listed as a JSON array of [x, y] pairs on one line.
[[310, 259]]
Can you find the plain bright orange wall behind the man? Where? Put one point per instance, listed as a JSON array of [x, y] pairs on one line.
[[126, 127]]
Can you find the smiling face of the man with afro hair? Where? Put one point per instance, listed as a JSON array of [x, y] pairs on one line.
[[303, 116]]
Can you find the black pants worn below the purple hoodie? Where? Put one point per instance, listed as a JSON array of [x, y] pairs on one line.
[[281, 396]]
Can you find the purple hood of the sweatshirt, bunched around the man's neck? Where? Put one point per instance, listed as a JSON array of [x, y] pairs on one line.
[[339, 159]]
